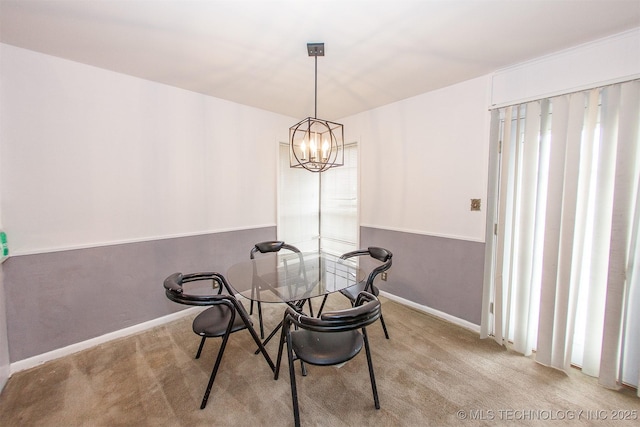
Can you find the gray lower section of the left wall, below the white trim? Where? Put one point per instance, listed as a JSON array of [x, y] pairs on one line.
[[61, 298]]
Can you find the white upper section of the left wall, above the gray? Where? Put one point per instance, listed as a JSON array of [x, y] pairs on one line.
[[93, 157]]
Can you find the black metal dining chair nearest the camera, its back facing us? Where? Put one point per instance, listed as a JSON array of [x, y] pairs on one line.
[[334, 338]]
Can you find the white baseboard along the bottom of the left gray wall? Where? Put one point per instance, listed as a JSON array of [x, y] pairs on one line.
[[34, 361]]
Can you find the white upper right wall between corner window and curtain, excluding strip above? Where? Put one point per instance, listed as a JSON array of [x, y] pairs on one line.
[[423, 160]]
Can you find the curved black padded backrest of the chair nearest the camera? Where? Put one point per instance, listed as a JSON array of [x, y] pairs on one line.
[[365, 312]]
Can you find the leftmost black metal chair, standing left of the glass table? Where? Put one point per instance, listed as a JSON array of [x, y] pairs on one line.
[[225, 316]]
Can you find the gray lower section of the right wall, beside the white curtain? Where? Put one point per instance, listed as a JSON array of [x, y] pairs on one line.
[[440, 273]]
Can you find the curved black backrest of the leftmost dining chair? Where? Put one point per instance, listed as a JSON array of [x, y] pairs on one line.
[[175, 292]]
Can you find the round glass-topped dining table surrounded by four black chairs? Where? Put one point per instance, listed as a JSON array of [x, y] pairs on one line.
[[292, 278]]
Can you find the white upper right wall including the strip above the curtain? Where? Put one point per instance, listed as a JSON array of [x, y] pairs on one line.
[[424, 158]]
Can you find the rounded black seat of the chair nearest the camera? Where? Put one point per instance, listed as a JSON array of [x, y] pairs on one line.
[[326, 348]]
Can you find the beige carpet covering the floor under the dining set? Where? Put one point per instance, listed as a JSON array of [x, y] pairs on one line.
[[429, 373]]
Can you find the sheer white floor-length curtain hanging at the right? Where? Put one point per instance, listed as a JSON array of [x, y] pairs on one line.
[[563, 221]]
